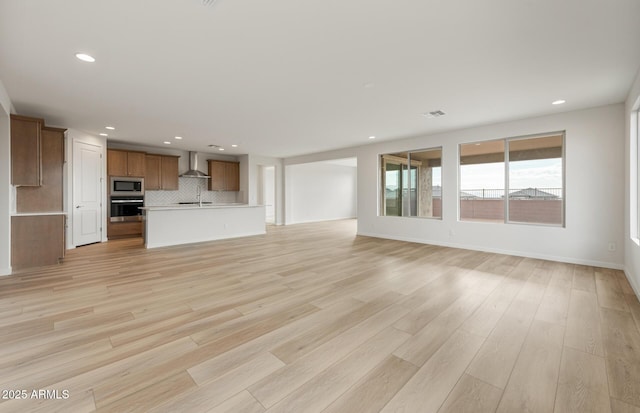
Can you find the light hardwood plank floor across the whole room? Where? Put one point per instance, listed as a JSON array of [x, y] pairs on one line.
[[311, 318]]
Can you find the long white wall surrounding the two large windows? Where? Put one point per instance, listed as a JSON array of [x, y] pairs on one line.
[[594, 194]]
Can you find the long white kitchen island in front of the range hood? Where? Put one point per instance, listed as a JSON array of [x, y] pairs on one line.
[[184, 224]]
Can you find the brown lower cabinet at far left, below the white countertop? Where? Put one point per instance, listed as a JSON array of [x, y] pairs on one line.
[[37, 240]]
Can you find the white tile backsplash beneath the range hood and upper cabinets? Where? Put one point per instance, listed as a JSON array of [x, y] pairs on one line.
[[187, 192]]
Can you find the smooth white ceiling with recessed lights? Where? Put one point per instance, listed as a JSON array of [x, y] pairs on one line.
[[290, 77]]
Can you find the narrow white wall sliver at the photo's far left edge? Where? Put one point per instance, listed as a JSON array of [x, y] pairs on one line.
[[5, 182]]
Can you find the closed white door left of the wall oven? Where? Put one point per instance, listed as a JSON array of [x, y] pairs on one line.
[[87, 193]]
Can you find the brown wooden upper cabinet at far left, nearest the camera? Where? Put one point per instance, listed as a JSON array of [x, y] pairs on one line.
[[26, 151]]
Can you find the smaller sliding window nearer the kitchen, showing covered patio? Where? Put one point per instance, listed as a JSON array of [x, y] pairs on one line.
[[412, 184]]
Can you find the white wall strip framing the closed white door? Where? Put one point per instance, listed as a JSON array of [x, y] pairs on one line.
[[73, 136]]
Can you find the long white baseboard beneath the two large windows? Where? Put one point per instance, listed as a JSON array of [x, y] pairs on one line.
[[569, 260]]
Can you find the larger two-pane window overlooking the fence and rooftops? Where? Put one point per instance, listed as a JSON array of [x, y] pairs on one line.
[[527, 173]]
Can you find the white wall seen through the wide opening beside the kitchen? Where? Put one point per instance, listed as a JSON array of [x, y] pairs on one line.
[[320, 191]]
